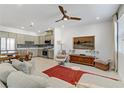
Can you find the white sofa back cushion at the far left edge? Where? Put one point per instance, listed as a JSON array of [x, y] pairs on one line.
[[5, 70]]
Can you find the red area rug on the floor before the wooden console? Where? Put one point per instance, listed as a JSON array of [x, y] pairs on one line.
[[64, 73]]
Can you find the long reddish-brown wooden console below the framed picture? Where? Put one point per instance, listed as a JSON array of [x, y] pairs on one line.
[[85, 60]]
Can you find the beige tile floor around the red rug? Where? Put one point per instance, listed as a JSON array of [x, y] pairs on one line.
[[41, 64]]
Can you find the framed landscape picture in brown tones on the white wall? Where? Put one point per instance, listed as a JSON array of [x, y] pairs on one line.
[[85, 42]]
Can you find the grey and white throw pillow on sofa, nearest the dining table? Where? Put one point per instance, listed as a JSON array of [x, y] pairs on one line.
[[22, 66]]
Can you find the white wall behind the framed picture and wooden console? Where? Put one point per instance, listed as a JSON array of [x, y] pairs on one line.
[[104, 38]]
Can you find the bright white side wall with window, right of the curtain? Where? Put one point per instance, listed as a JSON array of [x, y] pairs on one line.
[[121, 42]]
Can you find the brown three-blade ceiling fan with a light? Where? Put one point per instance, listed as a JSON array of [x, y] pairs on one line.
[[65, 16]]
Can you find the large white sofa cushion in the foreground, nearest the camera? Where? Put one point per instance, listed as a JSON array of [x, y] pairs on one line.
[[21, 80]]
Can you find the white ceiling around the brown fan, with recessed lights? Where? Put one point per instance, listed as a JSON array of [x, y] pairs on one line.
[[45, 15]]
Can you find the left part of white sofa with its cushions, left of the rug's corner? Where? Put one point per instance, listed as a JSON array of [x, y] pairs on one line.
[[20, 79]]
